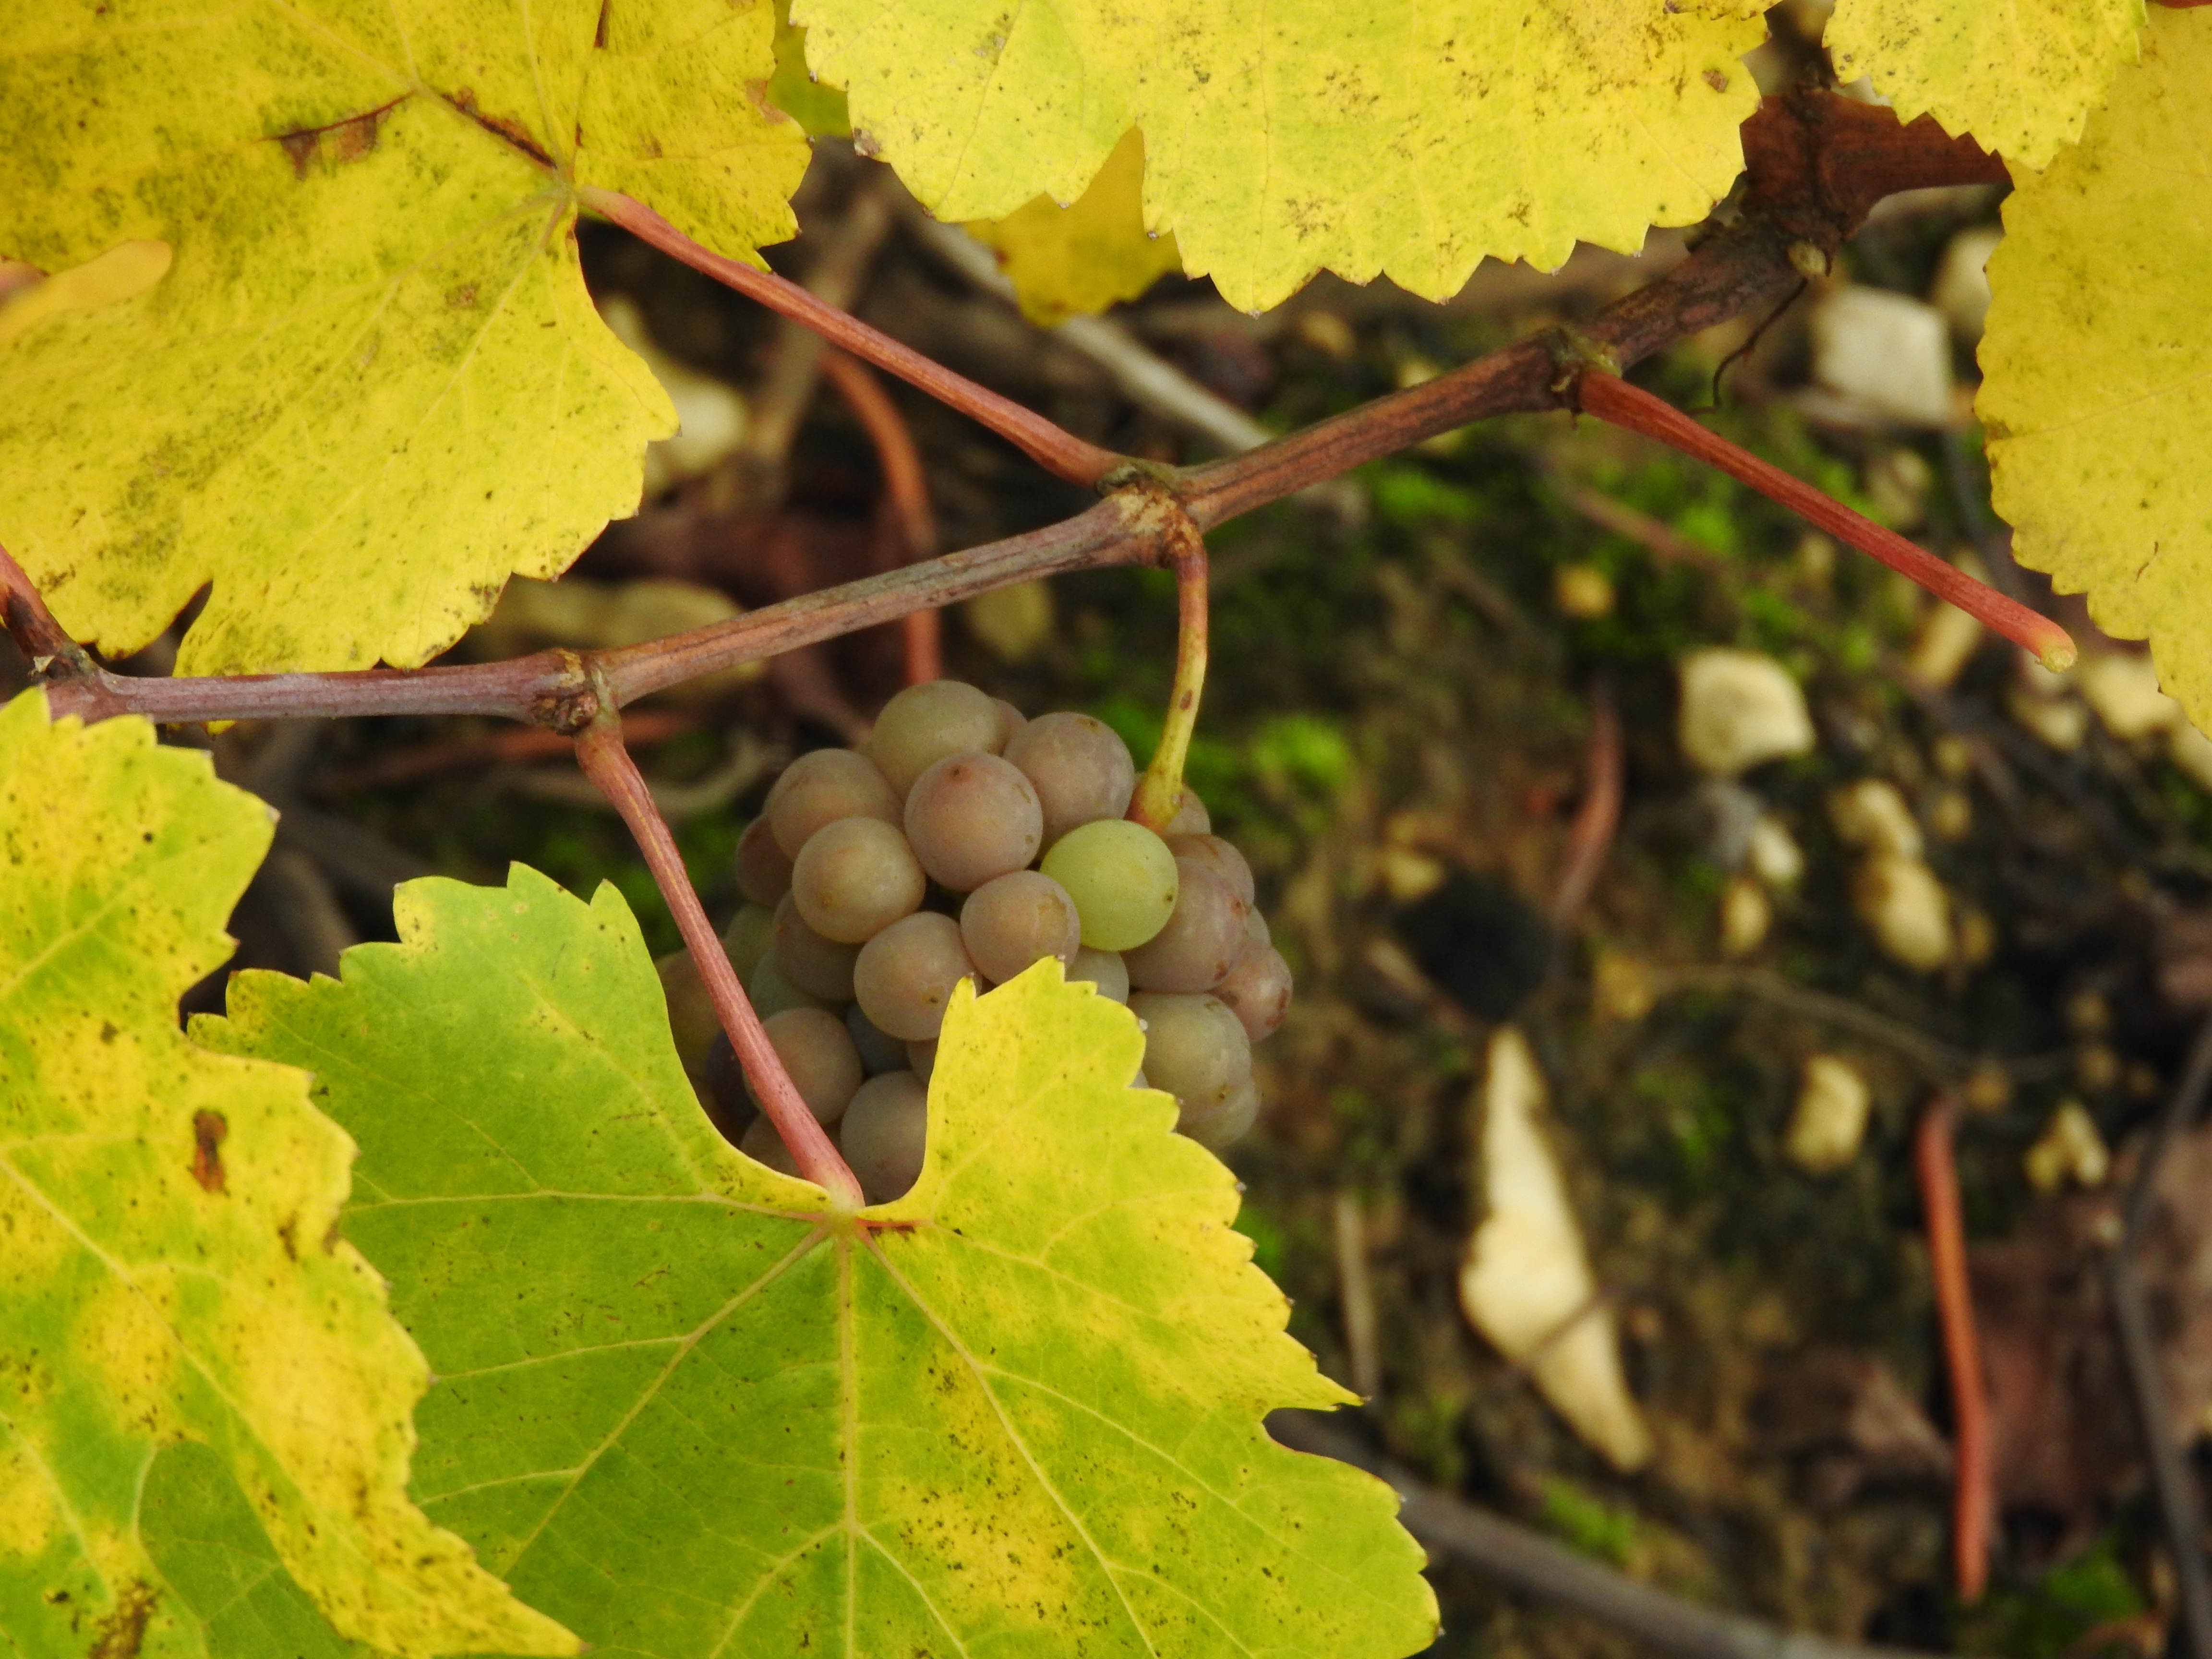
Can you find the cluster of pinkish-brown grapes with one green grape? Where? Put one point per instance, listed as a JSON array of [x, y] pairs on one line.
[[877, 879]]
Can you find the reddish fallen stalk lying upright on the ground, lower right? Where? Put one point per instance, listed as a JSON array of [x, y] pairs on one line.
[[1974, 1503]]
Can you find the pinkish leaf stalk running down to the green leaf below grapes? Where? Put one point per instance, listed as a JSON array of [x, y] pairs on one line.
[[607, 762]]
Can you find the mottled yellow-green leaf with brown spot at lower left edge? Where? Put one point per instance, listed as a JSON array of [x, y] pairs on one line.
[[169, 1253]]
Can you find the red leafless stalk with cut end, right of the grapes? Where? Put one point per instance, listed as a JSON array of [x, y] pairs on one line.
[[1625, 406]]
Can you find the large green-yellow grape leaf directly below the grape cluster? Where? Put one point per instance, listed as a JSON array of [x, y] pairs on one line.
[[689, 1410]]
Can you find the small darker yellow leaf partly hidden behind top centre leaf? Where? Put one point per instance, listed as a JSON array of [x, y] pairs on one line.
[[1083, 258]]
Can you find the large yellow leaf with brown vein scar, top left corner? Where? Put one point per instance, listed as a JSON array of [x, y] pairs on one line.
[[371, 382]]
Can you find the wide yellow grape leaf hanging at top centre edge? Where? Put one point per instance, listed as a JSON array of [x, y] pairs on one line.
[[1390, 138]]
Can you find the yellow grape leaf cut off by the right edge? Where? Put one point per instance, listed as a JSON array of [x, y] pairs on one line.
[[2098, 366]]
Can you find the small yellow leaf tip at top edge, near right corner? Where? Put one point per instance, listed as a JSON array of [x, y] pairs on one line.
[[2018, 76]]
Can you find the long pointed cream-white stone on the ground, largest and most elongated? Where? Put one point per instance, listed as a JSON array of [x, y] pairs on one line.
[[1527, 1284]]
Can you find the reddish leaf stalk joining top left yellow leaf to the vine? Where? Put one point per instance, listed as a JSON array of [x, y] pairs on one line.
[[1056, 450]]
